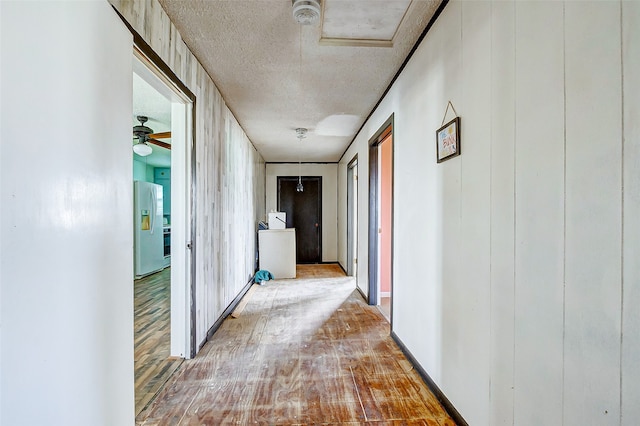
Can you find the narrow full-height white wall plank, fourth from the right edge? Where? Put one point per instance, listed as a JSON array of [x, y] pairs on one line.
[[502, 211]]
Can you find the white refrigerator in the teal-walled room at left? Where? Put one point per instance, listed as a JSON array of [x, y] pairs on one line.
[[148, 238]]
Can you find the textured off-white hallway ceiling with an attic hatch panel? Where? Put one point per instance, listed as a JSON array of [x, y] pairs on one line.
[[276, 75]]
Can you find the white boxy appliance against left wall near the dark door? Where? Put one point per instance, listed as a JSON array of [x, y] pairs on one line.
[[277, 250]]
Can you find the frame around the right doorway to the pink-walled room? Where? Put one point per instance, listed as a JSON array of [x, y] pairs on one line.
[[374, 196]]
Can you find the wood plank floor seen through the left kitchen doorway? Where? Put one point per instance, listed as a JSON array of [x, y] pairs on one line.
[[152, 364]]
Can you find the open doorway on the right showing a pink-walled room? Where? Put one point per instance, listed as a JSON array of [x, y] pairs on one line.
[[381, 219]]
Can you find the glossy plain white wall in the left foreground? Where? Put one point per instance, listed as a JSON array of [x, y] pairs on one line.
[[67, 238]]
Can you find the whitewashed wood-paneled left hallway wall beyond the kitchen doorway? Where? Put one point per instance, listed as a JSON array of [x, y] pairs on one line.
[[229, 175]]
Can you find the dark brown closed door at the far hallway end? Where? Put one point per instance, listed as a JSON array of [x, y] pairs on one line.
[[303, 213]]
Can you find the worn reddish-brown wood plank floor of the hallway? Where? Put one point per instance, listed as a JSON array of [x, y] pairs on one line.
[[304, 351]]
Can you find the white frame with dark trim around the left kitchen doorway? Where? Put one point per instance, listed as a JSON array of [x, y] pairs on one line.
[[183, 297]]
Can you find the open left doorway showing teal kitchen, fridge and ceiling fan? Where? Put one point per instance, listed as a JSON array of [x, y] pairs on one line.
[[162, 172]]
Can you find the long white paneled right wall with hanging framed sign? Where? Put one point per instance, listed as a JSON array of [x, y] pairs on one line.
[[516, 264]]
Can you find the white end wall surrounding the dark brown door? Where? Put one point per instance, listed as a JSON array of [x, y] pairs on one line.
[[328, 172]]
